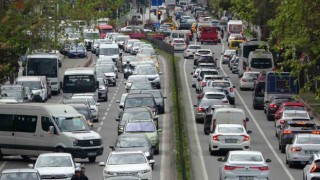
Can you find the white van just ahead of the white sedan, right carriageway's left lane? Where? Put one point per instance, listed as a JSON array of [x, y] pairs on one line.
[[228, 116]]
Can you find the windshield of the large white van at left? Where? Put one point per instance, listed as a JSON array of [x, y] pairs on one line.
[[71, 124]]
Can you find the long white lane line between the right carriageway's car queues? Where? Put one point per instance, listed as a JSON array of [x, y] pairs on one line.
[[259, 128]]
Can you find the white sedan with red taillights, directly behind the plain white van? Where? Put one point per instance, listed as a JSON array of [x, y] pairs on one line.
[[229, 137]]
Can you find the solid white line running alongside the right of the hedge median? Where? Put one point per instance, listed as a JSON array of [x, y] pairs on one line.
[[195, 131]]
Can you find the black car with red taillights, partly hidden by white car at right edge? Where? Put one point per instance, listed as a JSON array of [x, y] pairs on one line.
[[292, 127]]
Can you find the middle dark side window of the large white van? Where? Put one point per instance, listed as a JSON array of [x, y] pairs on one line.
[[25, 123]]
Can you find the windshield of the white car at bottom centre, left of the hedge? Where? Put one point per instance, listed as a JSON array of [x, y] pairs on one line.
[[130, 158]]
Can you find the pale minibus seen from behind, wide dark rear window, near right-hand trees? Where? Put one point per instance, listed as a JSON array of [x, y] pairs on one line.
[[260, 60]]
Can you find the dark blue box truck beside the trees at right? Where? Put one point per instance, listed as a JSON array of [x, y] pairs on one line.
[[280, 83]]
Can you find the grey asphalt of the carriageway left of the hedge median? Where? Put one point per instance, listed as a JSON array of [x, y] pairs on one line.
[[106, 127]]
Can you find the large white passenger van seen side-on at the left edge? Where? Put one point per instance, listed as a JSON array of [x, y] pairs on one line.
[[33, 129]]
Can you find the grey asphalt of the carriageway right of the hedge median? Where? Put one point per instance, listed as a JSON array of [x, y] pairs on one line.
[[263, 137]]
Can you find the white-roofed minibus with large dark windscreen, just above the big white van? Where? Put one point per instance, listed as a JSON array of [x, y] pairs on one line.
[[80, 80]]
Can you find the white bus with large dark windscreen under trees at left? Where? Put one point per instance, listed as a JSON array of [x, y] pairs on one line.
[[45, 64]]
